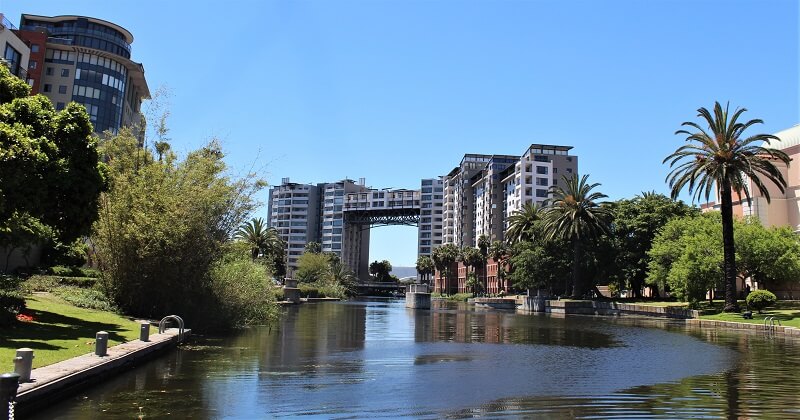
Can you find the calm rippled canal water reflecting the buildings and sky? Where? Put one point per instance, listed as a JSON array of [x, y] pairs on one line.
[[379, 359]]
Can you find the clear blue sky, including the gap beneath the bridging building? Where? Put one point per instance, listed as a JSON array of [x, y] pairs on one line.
[[395, 91]]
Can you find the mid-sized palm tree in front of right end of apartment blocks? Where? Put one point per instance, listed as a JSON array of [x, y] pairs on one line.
[[575, 215]]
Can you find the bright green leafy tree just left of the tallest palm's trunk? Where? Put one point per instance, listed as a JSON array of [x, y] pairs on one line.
[[687, 256]]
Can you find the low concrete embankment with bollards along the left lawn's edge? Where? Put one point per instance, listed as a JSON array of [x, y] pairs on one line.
[[56, 381]]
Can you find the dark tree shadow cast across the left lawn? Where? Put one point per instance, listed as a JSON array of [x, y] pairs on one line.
[[52, 326]]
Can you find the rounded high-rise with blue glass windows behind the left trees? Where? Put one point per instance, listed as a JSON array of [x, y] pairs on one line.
[[85, 60]]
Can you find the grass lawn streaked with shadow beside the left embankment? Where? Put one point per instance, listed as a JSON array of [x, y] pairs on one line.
[[61, 331]]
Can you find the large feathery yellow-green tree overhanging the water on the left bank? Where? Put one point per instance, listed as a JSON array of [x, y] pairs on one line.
[[163, 226]]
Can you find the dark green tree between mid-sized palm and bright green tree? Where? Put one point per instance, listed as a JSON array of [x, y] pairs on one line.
[[636, 223]]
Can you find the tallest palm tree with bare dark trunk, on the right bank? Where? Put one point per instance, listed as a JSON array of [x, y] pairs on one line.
[[723, 161]]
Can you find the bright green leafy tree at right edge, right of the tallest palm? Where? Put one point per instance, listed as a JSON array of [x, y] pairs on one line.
[[769, 256]]
